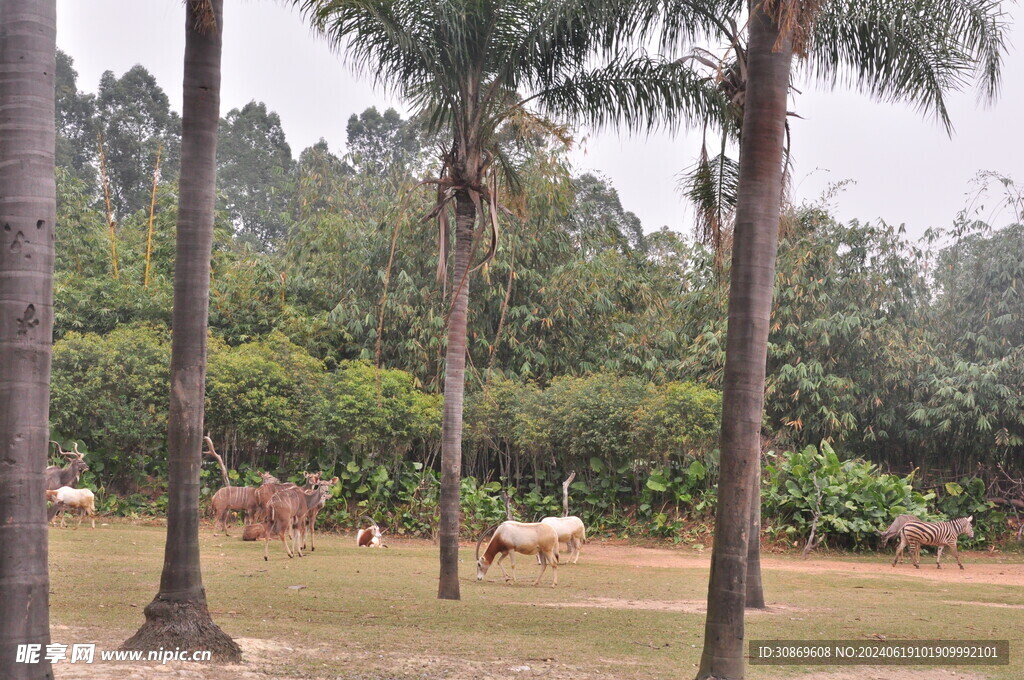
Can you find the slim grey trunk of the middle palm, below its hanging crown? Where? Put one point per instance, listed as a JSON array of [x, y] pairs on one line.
[[455, 384]]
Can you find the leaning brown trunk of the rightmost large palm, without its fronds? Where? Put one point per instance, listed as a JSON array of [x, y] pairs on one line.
[[755, 246]]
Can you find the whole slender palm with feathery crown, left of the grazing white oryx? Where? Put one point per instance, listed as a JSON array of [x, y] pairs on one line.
[[481, 70]]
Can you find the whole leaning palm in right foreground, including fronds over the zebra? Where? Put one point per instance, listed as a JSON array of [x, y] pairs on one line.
[[884, 51]]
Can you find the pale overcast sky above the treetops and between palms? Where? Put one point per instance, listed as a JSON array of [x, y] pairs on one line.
[[906, 168]]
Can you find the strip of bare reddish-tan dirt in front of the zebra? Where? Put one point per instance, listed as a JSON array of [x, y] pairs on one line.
[[980, 568]]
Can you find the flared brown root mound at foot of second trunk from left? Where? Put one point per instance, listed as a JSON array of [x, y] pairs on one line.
[[184, 625]]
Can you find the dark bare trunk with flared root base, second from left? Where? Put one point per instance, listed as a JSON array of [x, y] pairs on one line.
[[179, 615]]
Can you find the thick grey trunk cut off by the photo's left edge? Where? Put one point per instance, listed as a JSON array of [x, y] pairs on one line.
[[28, 212]]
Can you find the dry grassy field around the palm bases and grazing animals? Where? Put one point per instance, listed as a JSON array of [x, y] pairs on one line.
[[623, 613]]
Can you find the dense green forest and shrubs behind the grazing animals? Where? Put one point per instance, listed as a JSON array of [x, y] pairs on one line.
[[895, 376]]
